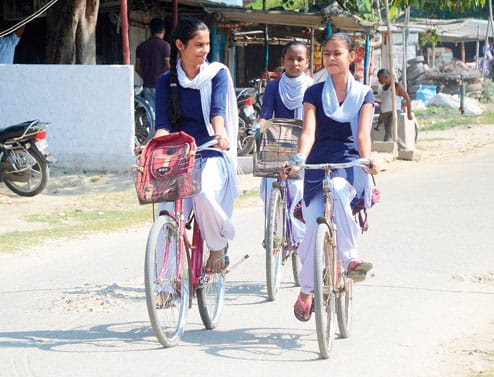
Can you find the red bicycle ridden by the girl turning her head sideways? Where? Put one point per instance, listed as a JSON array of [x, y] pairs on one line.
[[175, 270]]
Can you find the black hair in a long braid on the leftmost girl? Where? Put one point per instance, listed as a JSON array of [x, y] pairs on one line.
[[185, 30]]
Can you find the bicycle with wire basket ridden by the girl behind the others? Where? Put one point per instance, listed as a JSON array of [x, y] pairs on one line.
[[279, 140]]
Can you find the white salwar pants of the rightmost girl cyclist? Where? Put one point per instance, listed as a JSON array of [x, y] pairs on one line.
[[346, 230]]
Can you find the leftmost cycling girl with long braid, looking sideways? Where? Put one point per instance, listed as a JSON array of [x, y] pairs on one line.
[[199, 98]]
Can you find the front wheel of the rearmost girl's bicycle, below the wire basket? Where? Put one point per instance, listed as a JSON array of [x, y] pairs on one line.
[[274, 237]]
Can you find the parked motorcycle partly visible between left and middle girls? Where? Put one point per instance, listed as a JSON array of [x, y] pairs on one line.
[[247, 121]]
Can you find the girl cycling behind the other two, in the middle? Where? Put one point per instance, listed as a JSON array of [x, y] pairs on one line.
[[283, 99]]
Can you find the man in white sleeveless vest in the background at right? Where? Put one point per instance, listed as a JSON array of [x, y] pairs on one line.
[[385, 93]]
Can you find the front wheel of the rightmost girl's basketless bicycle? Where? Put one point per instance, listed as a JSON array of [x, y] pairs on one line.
[[324, 296]]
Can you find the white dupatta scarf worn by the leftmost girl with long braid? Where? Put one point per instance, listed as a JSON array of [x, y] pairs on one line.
[[203, 83]]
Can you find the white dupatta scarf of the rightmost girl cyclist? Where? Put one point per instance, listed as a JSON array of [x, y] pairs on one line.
[[349, 111]]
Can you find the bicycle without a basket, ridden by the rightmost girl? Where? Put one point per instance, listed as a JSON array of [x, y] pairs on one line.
[[332, 286]]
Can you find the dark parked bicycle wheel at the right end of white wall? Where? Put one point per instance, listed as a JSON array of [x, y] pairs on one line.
[[144, 119]]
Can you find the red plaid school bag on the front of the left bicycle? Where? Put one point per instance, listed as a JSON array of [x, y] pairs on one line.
[[169, 169]]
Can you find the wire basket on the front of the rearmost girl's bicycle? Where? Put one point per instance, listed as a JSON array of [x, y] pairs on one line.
[[278, 143]]
